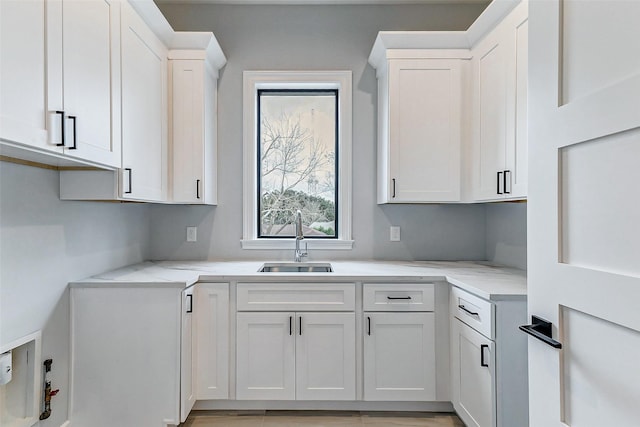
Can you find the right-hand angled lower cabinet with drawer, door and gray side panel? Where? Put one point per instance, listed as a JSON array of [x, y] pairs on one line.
[[488, 360]]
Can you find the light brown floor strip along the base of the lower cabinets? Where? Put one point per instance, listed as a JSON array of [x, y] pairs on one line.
[[319, 419]]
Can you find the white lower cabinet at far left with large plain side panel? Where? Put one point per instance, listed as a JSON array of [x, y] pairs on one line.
[[131, 355]]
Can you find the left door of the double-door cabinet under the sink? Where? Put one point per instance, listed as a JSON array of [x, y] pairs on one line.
[[265, 356]]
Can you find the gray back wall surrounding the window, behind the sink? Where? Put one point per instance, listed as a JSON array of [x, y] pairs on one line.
[[315, 37]]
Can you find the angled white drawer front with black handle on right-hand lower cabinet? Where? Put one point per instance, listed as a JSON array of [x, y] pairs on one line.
[[474, 311]]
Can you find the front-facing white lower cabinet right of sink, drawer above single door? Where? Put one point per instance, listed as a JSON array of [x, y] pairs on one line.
[[399, 342]]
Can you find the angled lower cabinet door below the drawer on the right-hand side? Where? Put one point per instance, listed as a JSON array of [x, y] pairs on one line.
[[473, 376]]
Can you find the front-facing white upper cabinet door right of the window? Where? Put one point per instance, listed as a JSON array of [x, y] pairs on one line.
[[424, 130]]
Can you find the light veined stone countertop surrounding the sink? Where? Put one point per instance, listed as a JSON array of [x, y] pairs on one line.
[[480, 278]]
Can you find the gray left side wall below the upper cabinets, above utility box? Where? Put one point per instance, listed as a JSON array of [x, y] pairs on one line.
[[44, 244]]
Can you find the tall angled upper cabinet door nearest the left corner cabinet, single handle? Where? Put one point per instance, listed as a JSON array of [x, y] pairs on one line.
[[143, 111]]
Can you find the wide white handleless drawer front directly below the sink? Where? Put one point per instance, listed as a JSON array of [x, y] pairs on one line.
[[296, 297]]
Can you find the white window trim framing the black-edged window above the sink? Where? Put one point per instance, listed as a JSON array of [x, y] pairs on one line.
[[254, 80]]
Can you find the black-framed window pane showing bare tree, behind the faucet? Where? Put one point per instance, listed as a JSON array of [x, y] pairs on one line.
[[297, 147]]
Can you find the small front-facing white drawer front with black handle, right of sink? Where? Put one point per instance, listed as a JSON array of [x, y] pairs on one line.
[[398, 297]]
